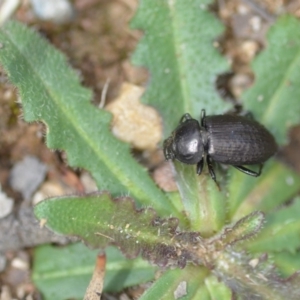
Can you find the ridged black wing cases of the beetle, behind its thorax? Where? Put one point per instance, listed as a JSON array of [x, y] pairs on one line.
[[236, 140]]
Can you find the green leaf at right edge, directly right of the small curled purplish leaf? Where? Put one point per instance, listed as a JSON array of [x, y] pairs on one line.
[[281, 231]]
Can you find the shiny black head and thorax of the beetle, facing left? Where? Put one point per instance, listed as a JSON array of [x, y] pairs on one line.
[[185, 144]]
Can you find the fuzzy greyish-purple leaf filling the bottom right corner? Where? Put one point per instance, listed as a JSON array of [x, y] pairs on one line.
[[255, 277]]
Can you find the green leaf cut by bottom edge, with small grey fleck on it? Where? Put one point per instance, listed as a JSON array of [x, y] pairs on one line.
[[170, 281]]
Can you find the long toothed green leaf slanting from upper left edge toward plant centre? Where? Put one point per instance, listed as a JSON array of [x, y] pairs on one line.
[[51, 92]]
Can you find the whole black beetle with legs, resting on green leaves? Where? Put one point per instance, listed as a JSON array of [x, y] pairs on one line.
[[226, 139]]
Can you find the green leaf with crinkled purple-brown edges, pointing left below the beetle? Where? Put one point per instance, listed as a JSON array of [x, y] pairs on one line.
[[102, 221]]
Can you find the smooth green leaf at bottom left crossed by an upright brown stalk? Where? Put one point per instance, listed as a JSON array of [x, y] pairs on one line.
[[64, 273]]
